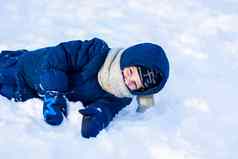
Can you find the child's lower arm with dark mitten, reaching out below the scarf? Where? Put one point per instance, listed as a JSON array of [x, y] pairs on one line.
[[99, 114]]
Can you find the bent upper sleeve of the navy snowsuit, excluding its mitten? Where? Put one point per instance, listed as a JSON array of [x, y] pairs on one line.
[[69, 57]]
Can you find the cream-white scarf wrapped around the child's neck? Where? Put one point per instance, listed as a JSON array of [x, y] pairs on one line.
[[110, 74]]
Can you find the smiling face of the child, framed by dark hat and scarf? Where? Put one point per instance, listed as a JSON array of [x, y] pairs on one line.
[[132, 78]]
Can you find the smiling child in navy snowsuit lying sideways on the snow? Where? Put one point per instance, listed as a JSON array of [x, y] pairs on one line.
[[104, 79]]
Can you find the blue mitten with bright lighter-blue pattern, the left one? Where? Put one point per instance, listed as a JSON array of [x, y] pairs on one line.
[[54, 107]]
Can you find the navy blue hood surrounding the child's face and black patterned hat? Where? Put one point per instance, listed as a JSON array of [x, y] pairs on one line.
[[147, 55]]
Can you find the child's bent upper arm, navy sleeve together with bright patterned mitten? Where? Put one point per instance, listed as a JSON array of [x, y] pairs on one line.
[[57, 62]]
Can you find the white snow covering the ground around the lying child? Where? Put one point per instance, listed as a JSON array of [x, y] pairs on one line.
[[195, 116]]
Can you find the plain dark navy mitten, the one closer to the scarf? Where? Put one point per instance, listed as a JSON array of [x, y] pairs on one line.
[[94, 120]]
